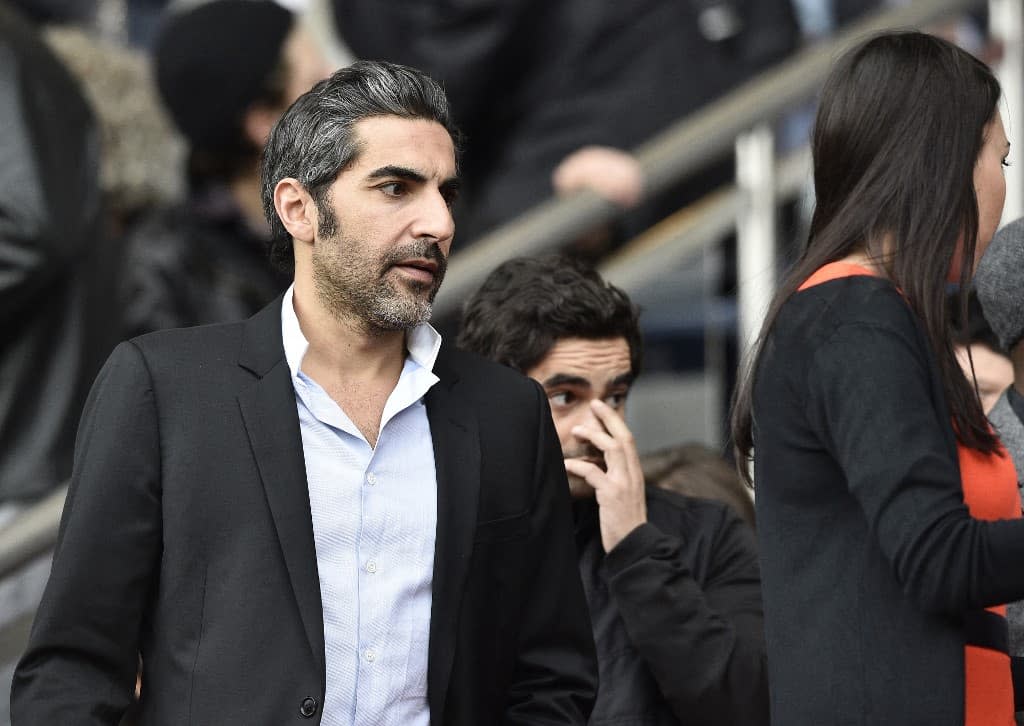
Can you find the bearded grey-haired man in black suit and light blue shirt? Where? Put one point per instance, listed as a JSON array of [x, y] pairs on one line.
[[321, 515]]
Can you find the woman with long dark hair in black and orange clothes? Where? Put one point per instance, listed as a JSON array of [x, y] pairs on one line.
[[888, 514]]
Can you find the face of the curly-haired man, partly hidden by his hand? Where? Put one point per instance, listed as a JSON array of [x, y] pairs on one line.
[[576, 372]]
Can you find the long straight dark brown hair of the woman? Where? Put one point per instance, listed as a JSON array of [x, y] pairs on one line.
[[901, 124]]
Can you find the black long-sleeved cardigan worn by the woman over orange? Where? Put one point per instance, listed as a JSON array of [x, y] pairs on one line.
[[870, 559]]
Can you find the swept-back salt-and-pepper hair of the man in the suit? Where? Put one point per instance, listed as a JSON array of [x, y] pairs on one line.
[[315, 141]]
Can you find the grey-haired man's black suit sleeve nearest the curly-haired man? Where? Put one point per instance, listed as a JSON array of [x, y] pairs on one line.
[[556, 678]]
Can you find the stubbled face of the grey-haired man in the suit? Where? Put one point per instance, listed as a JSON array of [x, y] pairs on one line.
[[386, 230]]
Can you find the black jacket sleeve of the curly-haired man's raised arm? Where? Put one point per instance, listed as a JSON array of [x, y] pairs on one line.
[[703, 642]]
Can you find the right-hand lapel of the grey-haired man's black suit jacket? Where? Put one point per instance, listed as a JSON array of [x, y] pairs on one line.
[[457, 459]]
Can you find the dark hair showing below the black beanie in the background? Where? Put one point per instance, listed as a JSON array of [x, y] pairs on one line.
[[235, 155]]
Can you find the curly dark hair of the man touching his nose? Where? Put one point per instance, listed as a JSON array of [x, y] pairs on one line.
[[529, 305]]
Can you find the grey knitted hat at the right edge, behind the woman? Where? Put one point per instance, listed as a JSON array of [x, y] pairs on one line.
[[1000, 282]]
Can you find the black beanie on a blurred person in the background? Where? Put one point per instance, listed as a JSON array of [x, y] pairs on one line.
[[212, 62]]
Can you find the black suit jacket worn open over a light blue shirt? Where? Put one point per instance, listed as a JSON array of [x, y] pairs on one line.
[[188, 537]]
